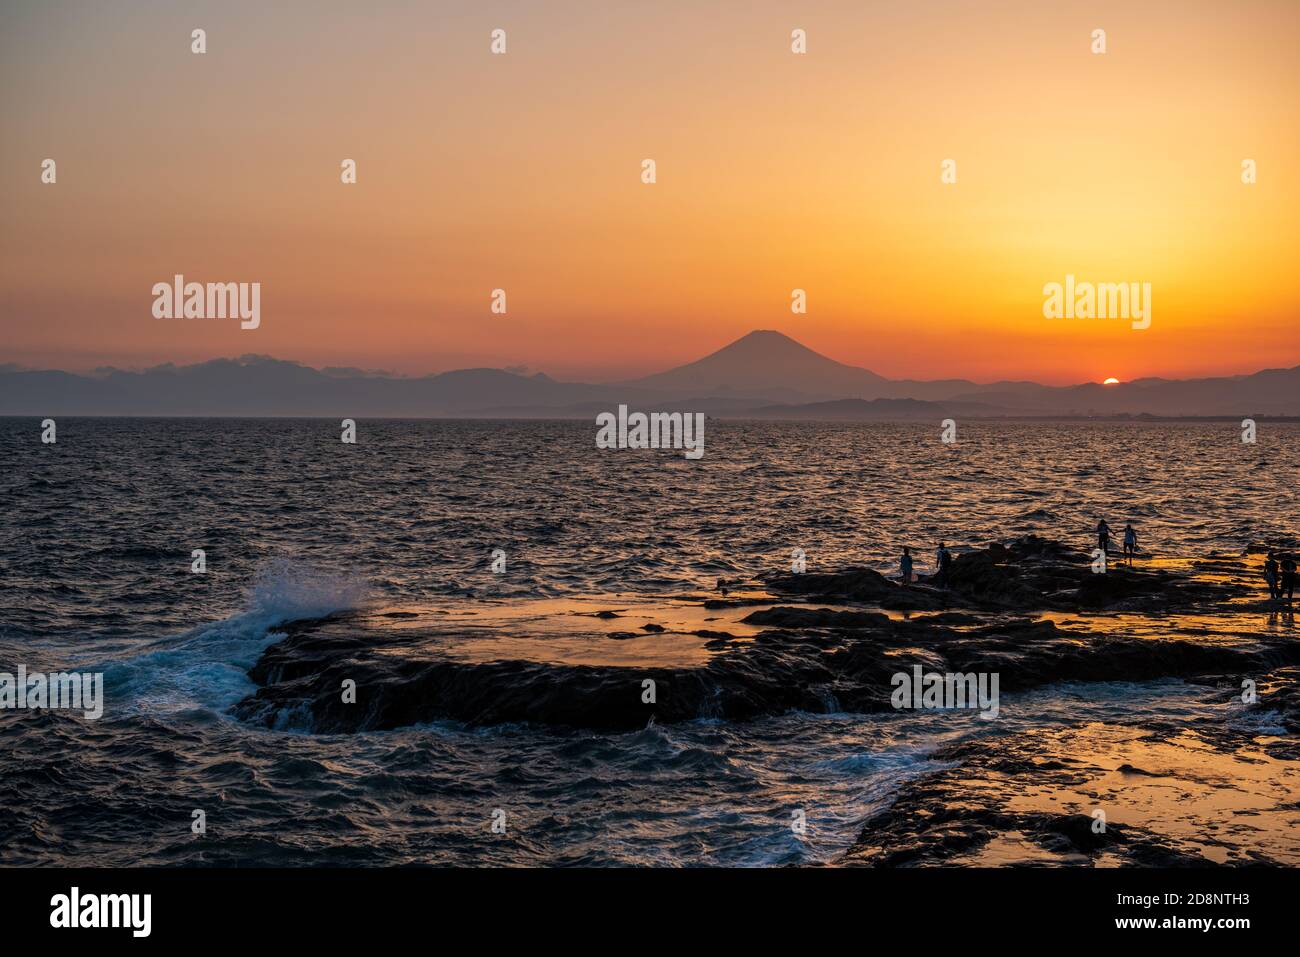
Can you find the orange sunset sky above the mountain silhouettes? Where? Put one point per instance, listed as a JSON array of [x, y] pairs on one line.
[[775, 172]]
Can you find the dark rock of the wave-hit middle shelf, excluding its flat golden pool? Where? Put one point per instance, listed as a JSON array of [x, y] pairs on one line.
[[817, 643]]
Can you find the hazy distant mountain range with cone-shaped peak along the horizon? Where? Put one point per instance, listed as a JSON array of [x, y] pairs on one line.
[[764, 375]]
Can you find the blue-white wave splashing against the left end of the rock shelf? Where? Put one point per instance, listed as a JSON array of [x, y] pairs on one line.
[[206, 668]]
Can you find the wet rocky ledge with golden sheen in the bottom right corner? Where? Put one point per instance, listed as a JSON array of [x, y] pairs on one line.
[[1149, 793]]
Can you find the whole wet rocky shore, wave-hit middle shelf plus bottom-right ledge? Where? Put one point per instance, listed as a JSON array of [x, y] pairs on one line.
[[1145, 791]]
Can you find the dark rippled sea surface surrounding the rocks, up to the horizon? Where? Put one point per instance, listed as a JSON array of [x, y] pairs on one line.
[[97, 534]]
